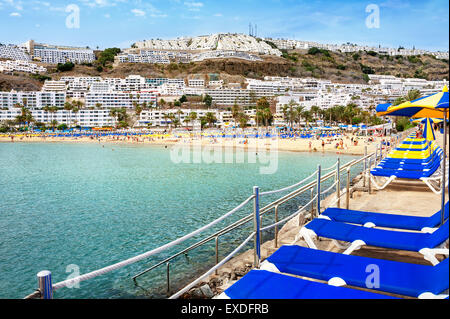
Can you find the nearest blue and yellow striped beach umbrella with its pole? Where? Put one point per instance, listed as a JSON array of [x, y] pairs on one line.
[[431, 106]]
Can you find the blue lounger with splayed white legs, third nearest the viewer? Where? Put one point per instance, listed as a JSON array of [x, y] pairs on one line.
[[429, 245]]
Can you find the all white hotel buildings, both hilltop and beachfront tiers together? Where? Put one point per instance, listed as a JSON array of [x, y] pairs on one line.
[[98, 95]]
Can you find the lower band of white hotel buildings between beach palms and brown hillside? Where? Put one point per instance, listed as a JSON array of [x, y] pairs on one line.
[[100, 95]]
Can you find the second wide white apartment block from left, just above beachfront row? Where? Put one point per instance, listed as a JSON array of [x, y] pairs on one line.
[[113, 99]]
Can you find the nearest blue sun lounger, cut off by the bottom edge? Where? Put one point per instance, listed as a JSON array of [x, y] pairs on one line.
[[261, 284]]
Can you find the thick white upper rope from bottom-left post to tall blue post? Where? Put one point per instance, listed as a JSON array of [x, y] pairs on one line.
[[102, 271]]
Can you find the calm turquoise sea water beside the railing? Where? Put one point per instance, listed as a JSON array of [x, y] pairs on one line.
[[92, 206]]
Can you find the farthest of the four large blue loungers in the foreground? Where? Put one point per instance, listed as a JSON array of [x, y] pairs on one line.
[[369, 219]]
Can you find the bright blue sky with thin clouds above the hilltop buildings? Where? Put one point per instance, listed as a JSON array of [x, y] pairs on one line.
[[423, 24]]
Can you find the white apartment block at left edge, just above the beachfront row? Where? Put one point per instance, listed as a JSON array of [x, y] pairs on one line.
[[32, 100]]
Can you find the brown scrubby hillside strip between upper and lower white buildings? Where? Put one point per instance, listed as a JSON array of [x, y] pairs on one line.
[[337, 67]]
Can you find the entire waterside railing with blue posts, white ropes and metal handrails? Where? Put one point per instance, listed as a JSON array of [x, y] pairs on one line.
[[46, 288]]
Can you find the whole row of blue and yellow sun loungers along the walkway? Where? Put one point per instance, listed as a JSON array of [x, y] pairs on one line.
[[324, 274]]
